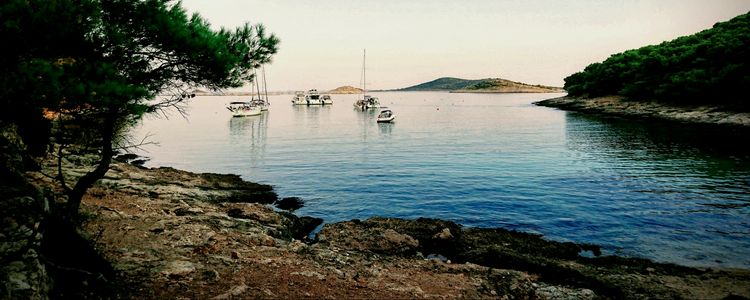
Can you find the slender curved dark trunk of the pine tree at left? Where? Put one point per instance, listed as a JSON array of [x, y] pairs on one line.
[[87, 181]]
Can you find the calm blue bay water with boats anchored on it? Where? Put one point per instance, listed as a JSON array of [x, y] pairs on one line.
[[668, 193]]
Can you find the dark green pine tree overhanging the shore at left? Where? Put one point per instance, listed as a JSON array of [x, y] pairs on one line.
[[80, 72]]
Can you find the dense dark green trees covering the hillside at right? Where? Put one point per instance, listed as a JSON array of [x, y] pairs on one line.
[[708, 67]]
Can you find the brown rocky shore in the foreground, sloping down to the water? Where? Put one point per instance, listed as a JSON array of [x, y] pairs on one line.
[[173, 234]]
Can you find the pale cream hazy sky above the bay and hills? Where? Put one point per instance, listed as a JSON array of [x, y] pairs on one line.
[[411, 42]]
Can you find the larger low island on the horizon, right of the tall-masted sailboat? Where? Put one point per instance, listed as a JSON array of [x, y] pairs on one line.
[[487, 85]]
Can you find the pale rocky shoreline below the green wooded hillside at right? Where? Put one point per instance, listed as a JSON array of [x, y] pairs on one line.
[[619, 106]]
